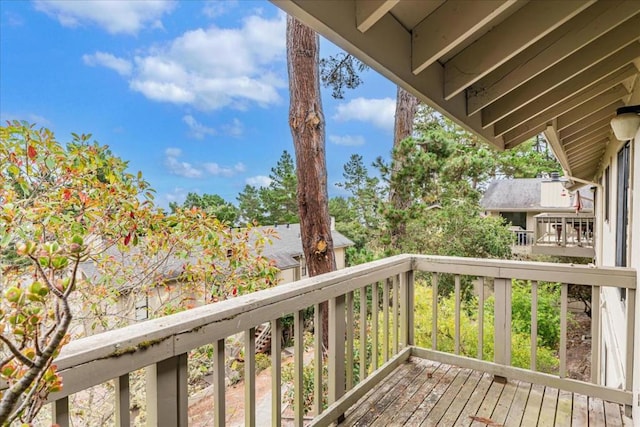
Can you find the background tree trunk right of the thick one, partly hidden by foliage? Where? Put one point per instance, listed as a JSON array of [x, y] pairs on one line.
[[406, 108]]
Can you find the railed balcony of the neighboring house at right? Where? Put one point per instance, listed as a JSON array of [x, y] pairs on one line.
[[564, 234]]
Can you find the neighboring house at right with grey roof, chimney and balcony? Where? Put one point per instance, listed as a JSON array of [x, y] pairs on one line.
[[544, 215]]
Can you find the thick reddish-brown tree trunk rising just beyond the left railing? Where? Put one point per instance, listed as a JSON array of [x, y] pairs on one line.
[[307, 129]]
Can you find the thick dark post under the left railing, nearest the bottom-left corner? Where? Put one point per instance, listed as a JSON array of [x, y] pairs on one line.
[[172, 397]]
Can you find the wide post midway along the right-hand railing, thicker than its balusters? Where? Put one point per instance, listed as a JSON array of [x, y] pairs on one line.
[[502, 332]]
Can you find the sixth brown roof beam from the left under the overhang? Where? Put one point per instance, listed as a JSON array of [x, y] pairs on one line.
[[588, 78]]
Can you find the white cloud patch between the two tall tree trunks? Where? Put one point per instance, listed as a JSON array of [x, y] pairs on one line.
[[379, 112]]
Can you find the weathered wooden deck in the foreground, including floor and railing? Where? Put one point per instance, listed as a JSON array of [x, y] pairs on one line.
[[399, 383]]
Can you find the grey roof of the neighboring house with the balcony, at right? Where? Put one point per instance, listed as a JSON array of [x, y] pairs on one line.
[[524, 195]]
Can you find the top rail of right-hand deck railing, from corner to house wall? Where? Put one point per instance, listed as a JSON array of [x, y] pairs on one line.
[[529, 270]]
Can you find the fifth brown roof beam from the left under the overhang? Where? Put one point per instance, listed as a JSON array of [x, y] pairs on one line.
[[600, 50]]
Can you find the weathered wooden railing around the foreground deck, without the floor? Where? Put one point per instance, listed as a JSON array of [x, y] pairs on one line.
[[371, 330]]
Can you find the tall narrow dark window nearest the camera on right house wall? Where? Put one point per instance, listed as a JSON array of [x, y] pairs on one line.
[[622, 209]]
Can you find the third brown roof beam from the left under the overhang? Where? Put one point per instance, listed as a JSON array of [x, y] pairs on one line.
[[522, 29]]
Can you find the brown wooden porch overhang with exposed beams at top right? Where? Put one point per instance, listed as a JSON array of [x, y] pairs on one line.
[[506, 70]]
